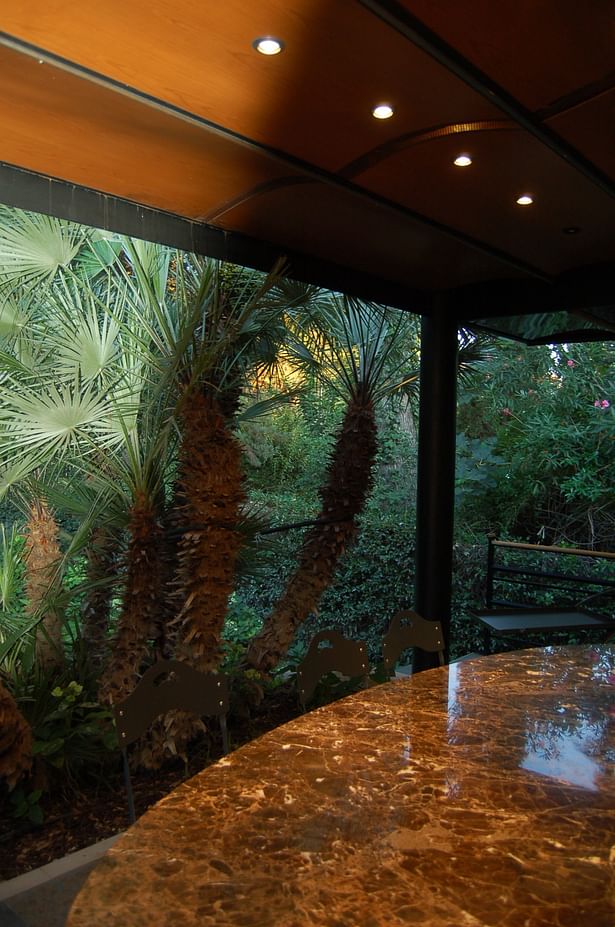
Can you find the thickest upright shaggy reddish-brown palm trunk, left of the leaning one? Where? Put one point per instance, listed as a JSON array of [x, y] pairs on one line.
[[212, 489]]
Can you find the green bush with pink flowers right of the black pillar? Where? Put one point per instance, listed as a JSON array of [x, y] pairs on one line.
[[543, 422]]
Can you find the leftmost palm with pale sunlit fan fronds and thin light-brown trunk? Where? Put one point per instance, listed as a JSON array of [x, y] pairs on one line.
[[38, 422]]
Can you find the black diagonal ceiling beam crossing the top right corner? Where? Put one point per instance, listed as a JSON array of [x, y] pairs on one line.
[[397, 17]]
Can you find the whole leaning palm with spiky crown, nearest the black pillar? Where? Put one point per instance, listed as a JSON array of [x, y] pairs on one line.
[[356, 344]]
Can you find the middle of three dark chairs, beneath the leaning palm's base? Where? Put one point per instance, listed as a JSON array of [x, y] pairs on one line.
[[330, 652]]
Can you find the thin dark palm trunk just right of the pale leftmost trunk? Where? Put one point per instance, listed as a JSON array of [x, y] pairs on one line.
[[95, 611]]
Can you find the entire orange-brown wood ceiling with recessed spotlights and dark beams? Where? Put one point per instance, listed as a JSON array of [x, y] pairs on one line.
[[165, 104]]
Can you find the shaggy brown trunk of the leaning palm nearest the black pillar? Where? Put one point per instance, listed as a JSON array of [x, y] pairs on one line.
[[349, 479]]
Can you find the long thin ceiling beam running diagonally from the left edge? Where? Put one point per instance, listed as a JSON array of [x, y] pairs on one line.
[[285, 160]]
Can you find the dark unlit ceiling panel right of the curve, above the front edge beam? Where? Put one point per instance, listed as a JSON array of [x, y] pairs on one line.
[[362, 237]]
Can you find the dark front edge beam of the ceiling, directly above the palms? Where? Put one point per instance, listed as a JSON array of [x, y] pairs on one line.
[[39, 193]]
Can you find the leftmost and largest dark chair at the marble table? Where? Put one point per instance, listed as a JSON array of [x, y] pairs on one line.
[[168, 685]]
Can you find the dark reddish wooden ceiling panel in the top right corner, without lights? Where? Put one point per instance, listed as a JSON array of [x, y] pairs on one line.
[[539, 51]]
